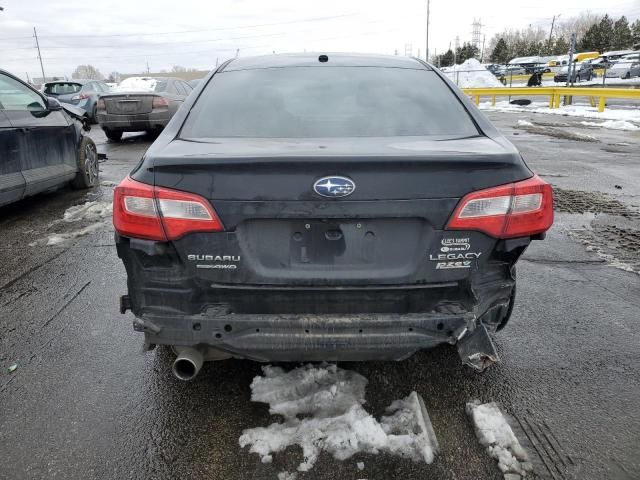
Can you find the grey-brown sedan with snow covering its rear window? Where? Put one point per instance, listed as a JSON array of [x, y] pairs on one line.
[[141, 103]]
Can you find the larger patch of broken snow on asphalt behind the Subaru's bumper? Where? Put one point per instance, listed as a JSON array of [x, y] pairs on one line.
[[322, 410]]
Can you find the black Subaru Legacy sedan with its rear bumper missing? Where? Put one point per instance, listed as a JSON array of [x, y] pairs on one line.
[[326, 207]]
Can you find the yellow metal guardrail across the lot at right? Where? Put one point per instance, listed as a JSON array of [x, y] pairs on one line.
[[554, 94]]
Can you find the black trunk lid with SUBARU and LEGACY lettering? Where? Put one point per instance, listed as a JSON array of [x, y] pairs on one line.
[[388, 231]]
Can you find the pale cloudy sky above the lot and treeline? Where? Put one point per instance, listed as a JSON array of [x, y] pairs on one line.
[[122, 36]]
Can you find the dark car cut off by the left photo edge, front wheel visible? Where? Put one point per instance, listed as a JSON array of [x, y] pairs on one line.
[[42, 146]]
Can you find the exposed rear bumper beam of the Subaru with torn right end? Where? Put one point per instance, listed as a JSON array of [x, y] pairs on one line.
[[292, 337]]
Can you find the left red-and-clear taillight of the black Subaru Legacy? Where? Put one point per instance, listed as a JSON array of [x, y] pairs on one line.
[[157, 213]]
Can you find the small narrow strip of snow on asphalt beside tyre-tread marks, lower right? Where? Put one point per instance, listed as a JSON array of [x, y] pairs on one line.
[[494, 432]]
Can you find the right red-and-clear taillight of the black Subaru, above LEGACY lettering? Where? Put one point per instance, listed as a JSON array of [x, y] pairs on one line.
[[514, 210]]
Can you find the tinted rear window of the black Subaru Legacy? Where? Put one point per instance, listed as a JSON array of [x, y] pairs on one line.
[[327, 102]]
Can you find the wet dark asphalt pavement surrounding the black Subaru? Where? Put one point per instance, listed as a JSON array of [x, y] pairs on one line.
[[85, 402]]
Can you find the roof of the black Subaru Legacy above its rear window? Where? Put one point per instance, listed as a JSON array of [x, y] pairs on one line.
[[334, 59]]
